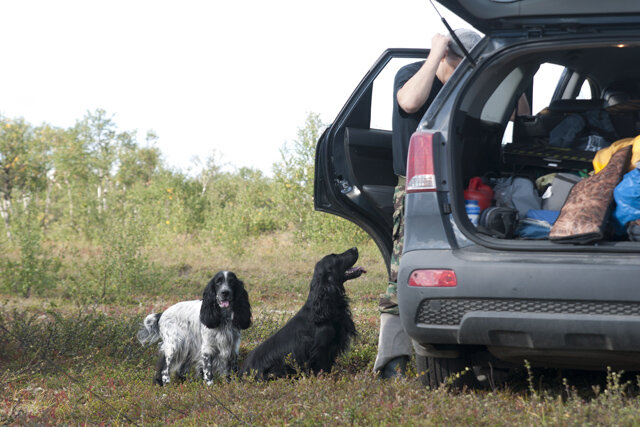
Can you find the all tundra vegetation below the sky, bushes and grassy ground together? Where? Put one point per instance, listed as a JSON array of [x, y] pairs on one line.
[[97, 232]]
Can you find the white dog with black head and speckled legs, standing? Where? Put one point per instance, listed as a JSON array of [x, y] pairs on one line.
[[202, 334]]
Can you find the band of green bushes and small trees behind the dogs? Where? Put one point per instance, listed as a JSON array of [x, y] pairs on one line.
[[98, 192]]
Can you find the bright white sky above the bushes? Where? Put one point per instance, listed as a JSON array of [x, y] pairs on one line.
[[237, 77]]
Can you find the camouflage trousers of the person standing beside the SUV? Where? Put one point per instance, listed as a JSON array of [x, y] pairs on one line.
[[389, 300]]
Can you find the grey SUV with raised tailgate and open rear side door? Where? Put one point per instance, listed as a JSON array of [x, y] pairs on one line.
[[467, 298]]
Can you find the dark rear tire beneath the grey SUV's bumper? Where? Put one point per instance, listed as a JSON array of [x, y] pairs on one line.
[[456, 373]]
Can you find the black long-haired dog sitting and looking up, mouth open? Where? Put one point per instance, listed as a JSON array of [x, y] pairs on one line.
[[319, 332]]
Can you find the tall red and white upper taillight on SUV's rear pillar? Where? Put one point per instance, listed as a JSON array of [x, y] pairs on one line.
[[420, 172]]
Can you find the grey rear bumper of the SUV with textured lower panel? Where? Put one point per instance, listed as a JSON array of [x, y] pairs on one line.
[[526, 303]]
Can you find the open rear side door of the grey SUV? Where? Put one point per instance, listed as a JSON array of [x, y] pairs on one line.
[[354, 175]]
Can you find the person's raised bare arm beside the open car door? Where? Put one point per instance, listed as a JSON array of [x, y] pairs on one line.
[[416, 90]]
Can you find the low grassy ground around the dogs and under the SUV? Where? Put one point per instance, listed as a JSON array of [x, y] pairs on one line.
[[68, 361]]
